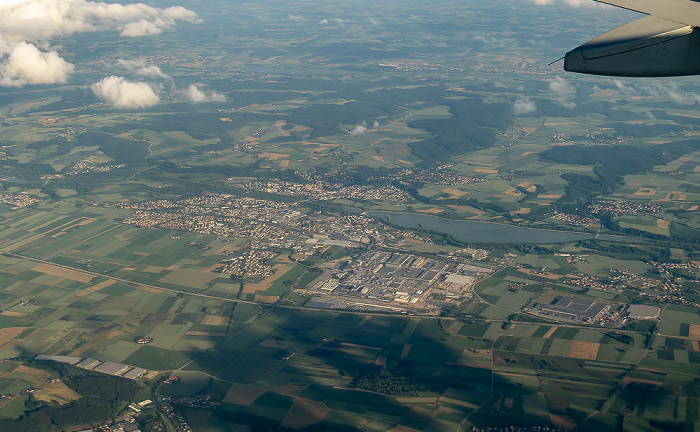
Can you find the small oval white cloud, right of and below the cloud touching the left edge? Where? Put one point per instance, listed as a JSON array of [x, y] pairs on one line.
[[124, 94]]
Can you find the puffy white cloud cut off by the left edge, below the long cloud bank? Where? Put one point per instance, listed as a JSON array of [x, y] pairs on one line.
[[25, 64]]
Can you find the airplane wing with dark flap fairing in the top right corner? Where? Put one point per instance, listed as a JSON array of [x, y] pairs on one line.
[[665, 43]]
